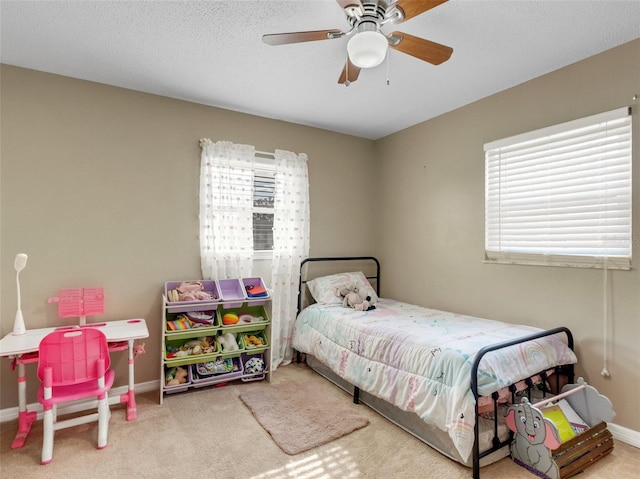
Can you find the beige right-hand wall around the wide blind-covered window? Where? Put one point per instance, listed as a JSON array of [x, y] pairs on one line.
[[432, 253]]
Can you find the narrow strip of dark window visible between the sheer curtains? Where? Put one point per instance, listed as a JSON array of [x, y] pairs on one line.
[[263, 203]]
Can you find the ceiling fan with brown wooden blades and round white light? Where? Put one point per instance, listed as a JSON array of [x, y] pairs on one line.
[[368, 46]]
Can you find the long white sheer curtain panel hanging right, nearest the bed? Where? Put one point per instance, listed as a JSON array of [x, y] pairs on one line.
[[290, 247]]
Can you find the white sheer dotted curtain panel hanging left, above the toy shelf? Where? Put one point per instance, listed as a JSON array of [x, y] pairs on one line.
[[226, 209]]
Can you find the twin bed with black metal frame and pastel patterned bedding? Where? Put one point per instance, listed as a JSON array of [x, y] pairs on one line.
[[446, 378]]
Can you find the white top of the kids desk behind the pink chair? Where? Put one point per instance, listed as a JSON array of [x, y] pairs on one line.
[[121, 330]]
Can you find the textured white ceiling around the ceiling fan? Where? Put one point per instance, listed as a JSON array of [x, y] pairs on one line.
[[211, 52]]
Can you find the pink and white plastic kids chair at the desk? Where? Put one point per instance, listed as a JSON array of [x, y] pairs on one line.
[[73, 364]]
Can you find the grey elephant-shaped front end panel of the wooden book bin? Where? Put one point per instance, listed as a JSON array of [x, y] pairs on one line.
[[534, 439]]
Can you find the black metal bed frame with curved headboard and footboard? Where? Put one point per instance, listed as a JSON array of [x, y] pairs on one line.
[[566, 370]]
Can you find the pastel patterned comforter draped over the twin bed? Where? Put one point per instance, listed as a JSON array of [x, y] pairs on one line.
[[420, 359]]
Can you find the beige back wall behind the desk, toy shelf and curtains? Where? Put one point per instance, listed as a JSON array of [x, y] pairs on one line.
[[100, 188]]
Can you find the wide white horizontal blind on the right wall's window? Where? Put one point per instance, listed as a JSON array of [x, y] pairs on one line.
[[561, 195]]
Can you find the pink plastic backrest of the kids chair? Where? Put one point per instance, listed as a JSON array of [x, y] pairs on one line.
[[74, 355]]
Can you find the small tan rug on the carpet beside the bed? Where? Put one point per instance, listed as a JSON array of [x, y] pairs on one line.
[[300, 416]]
